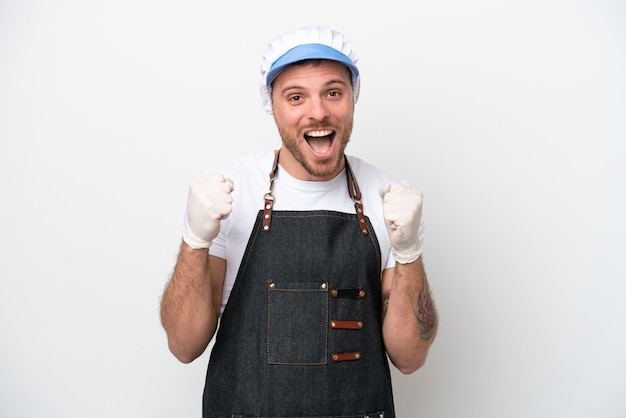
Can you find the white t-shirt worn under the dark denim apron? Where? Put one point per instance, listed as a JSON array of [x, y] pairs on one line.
[[250, 175]]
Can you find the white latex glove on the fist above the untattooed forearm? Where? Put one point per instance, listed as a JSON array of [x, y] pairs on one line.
[[208, 202]]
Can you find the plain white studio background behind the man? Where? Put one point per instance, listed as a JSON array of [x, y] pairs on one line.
[[510, 116]]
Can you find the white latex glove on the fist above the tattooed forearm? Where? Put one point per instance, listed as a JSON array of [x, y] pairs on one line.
[[402, 210]]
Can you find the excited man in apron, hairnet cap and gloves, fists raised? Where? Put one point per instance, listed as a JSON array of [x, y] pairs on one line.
[[314, 282]]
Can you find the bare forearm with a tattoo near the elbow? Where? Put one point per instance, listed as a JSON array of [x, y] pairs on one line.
[[410, 318]]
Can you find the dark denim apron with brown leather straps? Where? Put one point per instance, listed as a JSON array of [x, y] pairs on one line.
[[301, 334]]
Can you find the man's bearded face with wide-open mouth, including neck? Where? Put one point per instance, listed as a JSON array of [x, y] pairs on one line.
[[313, 109]]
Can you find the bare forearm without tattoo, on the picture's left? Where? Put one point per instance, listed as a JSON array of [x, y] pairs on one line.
[[187, 312]]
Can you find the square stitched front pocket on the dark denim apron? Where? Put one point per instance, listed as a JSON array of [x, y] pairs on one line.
[[297, 324]]
